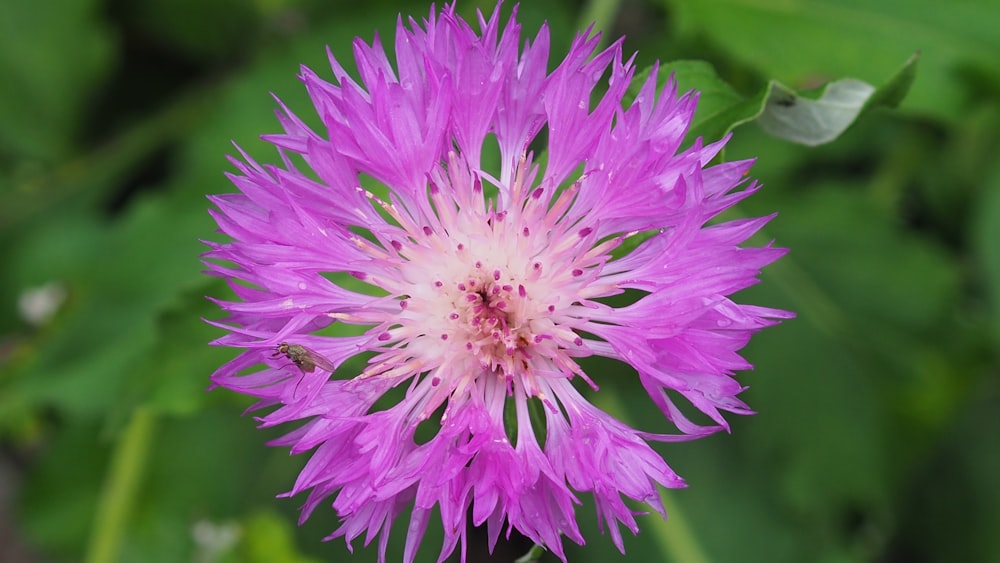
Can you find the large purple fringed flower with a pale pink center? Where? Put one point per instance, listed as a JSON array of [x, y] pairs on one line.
[[464, 222]]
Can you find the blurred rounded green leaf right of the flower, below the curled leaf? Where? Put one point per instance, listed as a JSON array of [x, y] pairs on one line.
[[872, 270]]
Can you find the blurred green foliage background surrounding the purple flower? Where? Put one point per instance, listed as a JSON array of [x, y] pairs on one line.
[[879, 406]]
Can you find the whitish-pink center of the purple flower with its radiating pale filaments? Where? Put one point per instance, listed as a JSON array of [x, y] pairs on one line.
[[485, 292]]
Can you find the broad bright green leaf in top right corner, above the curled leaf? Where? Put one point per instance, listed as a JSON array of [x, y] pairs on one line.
[[802, 42]]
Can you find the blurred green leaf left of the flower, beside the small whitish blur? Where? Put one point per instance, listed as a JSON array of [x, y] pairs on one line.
[[117, 280]]
